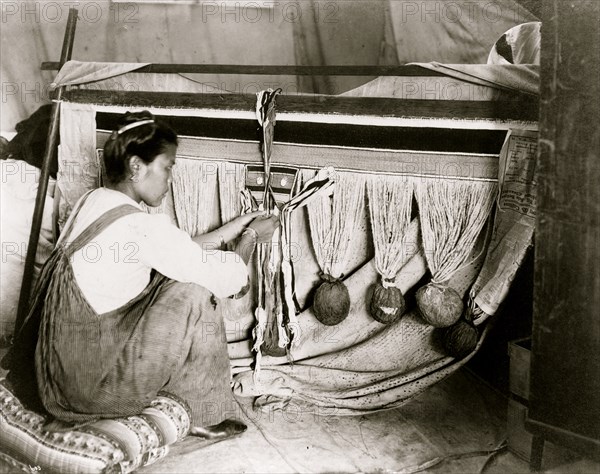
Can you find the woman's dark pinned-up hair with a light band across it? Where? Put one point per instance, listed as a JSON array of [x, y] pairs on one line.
[[147, 140]]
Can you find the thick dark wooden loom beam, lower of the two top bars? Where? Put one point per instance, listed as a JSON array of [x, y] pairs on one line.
[[525, 109]]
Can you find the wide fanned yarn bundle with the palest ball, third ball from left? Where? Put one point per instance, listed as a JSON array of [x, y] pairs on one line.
[[452, 214]]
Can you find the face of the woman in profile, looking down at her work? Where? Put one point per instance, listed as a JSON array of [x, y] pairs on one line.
[[154, 179]]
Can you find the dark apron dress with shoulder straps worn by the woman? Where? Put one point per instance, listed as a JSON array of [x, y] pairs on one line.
[[170, 338]]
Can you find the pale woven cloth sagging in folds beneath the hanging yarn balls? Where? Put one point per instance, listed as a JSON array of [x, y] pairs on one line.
[[359, 365]]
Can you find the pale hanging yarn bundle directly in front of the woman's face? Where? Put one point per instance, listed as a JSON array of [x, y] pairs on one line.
[[194, 194]]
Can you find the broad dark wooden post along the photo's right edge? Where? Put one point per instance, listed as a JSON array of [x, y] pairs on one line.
[[565, 367]]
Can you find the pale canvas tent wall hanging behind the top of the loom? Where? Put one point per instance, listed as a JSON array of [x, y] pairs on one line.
[[302, 32]]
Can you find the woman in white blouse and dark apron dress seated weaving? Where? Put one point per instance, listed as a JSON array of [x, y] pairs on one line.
[[127, 305]]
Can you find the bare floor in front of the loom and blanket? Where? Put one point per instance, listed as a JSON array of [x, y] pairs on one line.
[[451, 428]]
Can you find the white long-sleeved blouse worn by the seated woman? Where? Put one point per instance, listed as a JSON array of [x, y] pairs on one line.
[[115, 266]]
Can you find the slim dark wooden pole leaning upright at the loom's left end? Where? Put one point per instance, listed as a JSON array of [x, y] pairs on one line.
[[40, 200]]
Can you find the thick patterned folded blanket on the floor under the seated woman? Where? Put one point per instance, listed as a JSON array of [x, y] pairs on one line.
[[117, 445]]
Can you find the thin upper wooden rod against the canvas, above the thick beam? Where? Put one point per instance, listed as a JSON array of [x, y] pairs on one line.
[[283, 70]]
